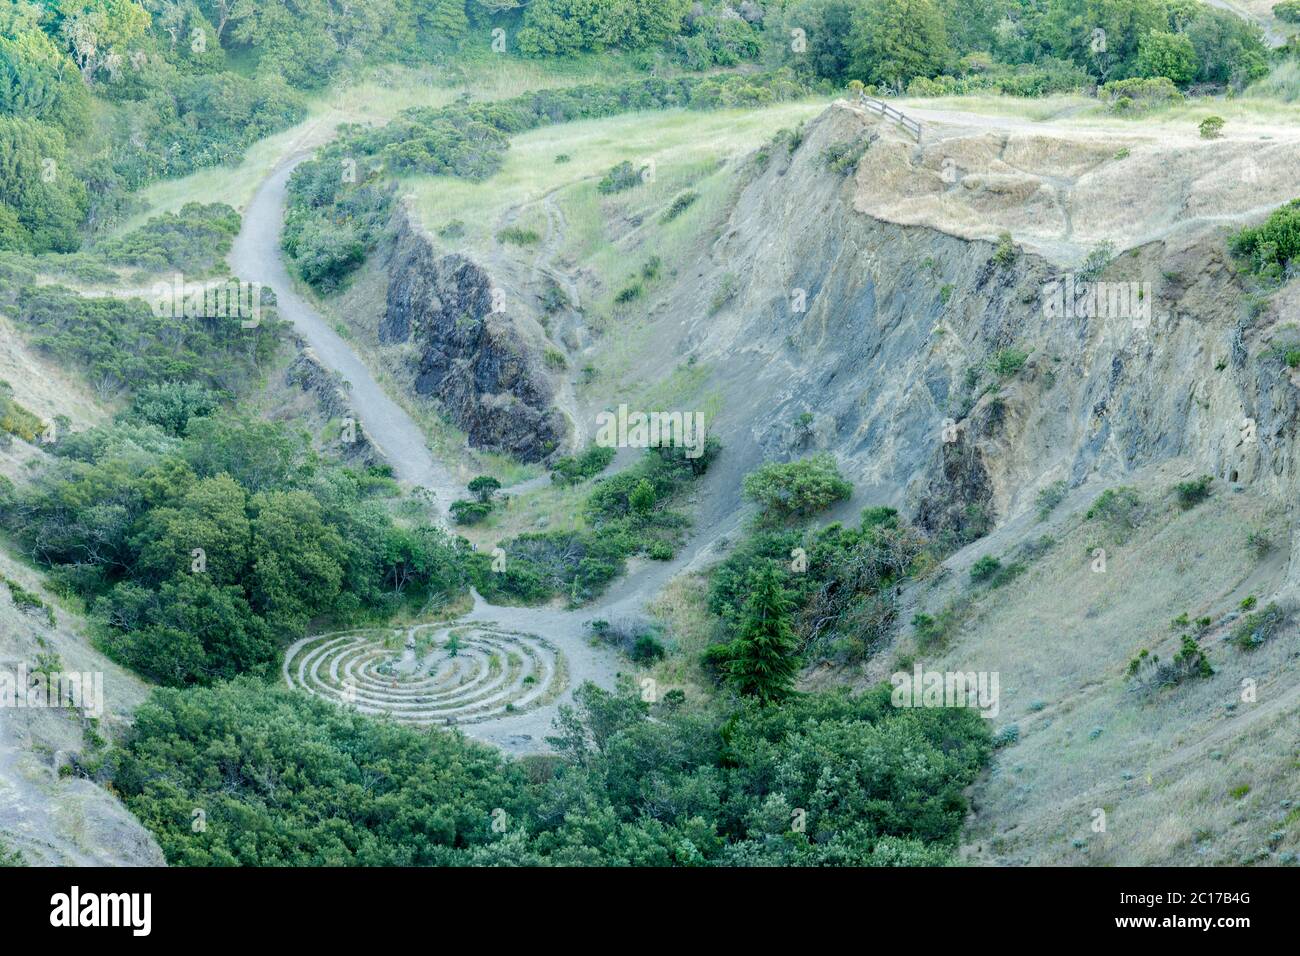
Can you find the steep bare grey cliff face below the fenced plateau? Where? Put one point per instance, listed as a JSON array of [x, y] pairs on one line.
[[956, 380]]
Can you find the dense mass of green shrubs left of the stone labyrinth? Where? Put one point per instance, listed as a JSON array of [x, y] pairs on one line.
[[200, 556]]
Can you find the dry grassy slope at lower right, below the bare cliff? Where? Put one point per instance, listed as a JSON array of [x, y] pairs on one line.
[[1163, 768]]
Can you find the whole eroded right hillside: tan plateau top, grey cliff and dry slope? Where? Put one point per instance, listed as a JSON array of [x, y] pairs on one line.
[[876, 308]]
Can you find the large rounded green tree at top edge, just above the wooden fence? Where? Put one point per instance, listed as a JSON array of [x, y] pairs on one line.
[[896, 41]]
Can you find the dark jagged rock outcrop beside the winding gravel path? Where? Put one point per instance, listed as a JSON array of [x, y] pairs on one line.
[[467, 356]]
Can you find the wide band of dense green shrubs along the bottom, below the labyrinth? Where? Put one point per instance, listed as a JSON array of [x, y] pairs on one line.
[[631, 784]]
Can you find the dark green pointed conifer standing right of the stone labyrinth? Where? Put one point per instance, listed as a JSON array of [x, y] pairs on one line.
[[762, 661]]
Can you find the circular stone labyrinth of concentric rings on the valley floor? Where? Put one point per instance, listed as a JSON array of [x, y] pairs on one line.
[[431, 673]]
